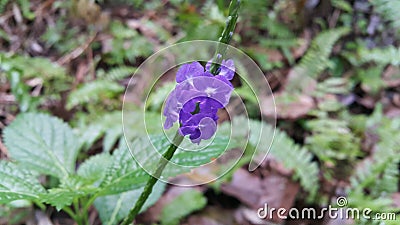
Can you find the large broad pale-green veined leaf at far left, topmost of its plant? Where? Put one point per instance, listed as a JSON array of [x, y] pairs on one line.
[[42, 143]]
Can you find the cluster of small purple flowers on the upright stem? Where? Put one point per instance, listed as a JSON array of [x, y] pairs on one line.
[[197, 97]]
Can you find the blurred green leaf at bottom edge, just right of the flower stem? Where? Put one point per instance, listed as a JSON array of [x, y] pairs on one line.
[[183, 205]]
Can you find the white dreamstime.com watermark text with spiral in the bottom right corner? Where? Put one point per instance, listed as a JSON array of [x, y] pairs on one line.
[[342, 212]]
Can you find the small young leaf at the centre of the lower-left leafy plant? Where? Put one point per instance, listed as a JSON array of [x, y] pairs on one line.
[[94, 168]]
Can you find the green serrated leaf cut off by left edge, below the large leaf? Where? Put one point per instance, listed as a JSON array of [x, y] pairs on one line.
[[17, 183]]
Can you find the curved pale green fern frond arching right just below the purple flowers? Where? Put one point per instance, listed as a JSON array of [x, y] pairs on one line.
[[283, 149]]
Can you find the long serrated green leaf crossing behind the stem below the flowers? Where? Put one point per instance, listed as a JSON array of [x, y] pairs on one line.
[[125, 174]]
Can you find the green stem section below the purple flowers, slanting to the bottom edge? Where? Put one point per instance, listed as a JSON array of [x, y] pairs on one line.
[[153, 179]]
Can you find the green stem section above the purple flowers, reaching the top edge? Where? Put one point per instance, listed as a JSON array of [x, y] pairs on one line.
[[226, 36]]
